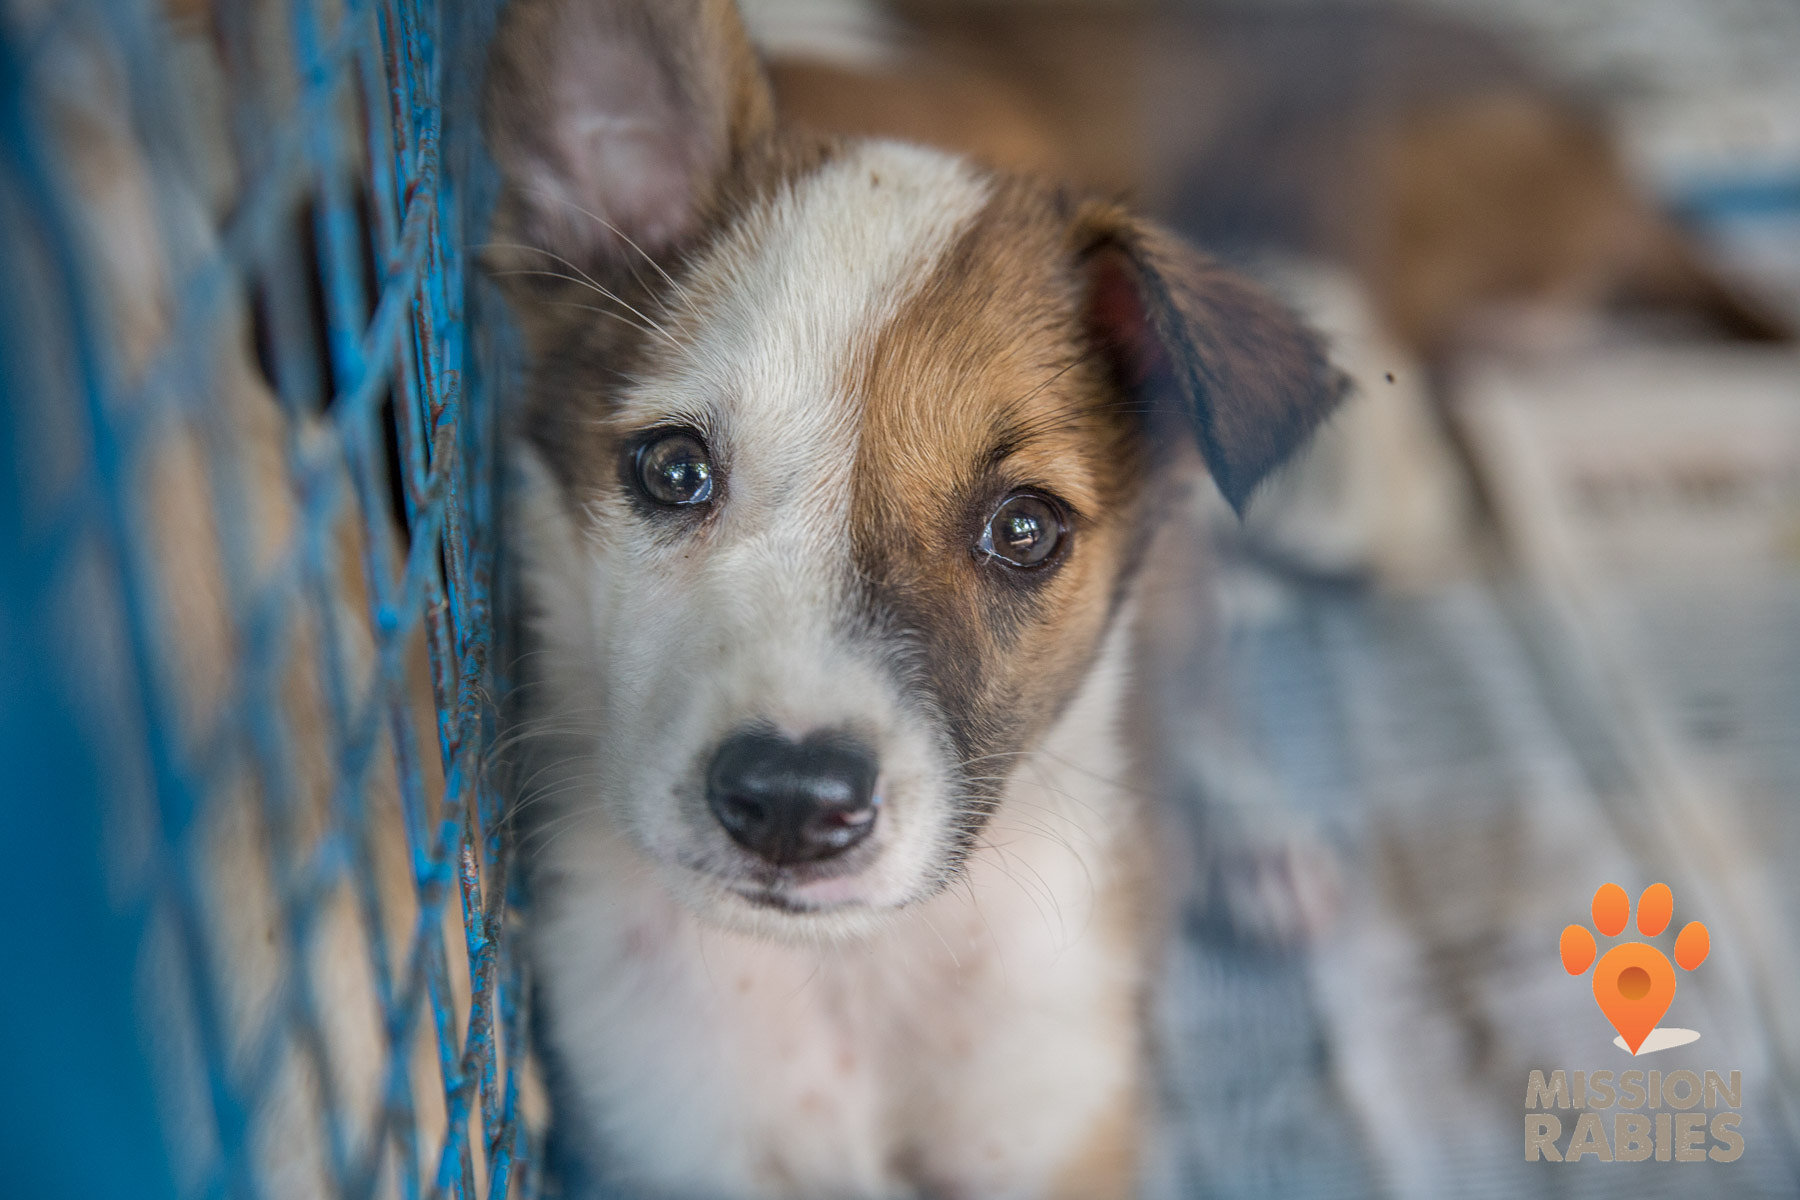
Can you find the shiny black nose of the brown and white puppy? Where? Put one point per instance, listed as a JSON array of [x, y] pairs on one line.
[[793, 801]]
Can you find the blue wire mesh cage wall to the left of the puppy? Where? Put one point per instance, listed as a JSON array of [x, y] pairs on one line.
[[247, 501]]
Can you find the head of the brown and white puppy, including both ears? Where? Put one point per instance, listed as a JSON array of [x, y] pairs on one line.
[[841, 456]]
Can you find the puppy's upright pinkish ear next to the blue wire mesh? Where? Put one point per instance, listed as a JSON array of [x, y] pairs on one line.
[[615, 125]]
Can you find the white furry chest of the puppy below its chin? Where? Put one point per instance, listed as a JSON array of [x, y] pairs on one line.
[[976, 1035]]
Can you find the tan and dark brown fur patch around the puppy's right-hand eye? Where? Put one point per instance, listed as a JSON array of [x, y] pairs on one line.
[[987, 384]]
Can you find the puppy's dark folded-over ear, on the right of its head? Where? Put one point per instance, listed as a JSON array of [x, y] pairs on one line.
[[1192, 337]]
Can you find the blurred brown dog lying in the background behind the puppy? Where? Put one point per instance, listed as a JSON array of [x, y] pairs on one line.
[[1432, 161]]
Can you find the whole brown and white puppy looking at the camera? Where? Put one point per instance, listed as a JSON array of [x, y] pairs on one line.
[[841, 463]]
